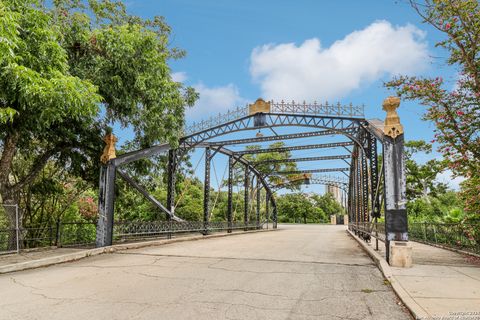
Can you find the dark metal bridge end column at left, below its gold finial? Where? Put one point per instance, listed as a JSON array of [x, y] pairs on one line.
[[106, 202]]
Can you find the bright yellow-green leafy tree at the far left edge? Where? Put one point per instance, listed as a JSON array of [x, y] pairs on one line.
[[43, 108]]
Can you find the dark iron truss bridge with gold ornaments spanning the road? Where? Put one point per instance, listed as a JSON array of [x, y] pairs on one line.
[[371, 181]]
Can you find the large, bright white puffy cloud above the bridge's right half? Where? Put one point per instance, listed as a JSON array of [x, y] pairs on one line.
[[310, 72]]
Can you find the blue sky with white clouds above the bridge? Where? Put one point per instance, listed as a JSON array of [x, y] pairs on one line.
[[342, 51]]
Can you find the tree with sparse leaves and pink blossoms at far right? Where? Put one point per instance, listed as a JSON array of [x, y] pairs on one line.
[[455, 112]]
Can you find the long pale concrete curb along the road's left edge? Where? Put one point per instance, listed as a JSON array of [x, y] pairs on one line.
[[111, 249]]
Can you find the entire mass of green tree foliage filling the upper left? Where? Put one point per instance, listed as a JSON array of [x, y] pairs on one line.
[[60, 66]]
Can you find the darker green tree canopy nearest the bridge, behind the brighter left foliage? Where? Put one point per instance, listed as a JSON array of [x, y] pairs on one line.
[[126, 57]]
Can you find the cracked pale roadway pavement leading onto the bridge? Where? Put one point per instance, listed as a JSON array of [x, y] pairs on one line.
[[297, 272]]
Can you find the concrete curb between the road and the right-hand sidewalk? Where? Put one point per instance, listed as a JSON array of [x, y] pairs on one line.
[[417, 311]]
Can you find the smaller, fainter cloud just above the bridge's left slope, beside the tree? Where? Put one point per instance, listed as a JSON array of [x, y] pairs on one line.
[[214, 100]]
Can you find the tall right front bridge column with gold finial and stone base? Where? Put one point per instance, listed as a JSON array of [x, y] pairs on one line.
[[396, 223]]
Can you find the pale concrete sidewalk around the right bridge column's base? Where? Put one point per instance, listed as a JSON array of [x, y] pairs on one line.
[[441, 284]]
